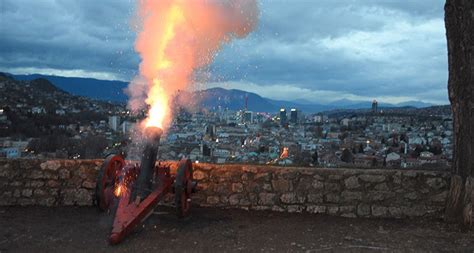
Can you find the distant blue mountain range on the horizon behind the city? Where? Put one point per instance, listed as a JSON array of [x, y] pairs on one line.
[[233, 99]]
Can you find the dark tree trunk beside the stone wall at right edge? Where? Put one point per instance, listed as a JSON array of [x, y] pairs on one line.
[[459, 21]]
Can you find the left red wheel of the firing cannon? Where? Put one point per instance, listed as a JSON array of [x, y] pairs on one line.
[[106, 181]]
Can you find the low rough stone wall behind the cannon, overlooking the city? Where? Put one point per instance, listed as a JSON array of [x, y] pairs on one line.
[[344, 192]]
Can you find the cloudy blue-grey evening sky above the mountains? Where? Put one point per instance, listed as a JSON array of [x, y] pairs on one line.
[[308, 51]]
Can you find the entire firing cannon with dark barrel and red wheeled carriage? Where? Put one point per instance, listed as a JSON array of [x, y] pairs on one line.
[[130, 192]]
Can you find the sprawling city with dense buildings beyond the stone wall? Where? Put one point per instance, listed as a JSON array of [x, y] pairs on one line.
[[366, 138]]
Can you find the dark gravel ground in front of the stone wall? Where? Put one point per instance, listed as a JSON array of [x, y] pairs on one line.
[[74, 229]]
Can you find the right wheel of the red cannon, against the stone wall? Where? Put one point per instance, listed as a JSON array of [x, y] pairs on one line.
[[183, 187]]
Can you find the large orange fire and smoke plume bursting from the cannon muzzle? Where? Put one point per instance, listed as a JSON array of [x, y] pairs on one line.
[[176, 38]]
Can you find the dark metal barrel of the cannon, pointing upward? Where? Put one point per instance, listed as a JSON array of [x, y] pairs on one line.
[[148, 160]]
